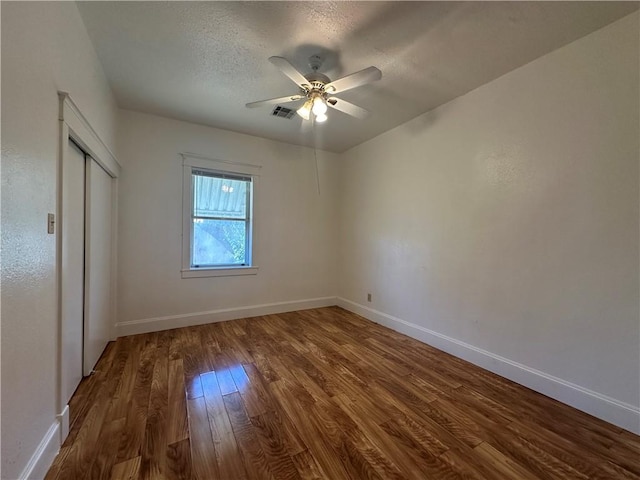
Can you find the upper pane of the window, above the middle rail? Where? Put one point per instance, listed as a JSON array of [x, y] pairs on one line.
[[219, 197]]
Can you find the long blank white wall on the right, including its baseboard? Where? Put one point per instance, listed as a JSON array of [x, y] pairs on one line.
[[503, 226]]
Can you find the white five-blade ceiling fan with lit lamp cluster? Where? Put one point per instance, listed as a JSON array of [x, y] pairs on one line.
[[317, 90]]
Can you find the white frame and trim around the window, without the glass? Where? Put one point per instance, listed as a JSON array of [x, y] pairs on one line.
[[192, 162]]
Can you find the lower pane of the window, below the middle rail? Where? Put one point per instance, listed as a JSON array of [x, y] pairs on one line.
[[219, 242]]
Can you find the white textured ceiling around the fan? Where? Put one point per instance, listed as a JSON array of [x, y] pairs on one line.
[[202, 61]]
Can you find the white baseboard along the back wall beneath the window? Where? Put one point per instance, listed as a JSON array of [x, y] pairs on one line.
[[146, 325]]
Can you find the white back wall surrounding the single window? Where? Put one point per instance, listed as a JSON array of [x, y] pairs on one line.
[[294, 226]]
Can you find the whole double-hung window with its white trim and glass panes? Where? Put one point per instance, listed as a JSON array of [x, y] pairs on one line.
[[217, 223]]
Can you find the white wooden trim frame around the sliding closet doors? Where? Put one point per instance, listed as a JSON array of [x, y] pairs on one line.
[[75, 126]]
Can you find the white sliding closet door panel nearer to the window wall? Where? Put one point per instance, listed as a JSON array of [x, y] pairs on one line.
[[98, 318]]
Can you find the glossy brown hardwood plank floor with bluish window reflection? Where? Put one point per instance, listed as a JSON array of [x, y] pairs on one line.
[[321, 394]]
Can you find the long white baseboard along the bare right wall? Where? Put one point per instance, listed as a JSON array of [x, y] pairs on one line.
[[606, 408]]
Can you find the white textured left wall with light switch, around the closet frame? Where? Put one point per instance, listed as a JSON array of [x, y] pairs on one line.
[[45, 48]]
